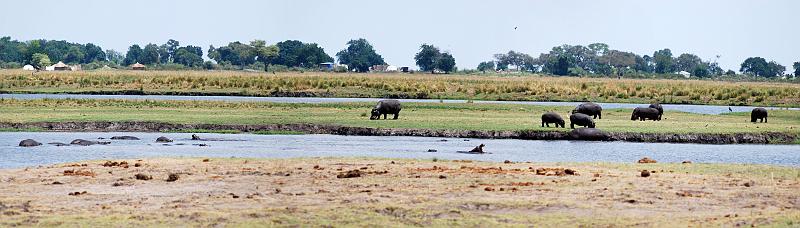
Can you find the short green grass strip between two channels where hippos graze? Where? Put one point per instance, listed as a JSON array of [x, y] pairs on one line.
[[414, 116]]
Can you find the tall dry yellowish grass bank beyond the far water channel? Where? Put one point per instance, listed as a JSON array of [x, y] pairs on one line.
[[496, 87]]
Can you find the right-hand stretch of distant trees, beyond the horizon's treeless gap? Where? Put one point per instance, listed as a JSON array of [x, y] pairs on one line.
[[599, 59]]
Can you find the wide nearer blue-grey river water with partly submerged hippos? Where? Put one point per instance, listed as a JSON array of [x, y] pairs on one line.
[[289, 146]]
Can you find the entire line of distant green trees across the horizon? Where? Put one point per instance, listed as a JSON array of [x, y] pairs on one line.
[[360, 55]]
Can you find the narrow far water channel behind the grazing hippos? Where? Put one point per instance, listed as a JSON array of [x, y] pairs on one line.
[[701, 109]]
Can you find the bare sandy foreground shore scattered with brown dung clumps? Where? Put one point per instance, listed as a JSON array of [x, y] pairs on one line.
[[383, 192]]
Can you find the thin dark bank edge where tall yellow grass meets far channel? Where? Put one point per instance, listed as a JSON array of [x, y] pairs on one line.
[[396, 95]]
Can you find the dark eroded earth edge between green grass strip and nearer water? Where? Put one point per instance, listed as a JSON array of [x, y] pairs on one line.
[[146, 126]]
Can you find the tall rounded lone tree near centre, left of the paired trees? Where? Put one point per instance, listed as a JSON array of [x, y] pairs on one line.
[[359, 55]]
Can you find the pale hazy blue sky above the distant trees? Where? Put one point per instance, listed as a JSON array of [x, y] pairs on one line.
[[472, 30]]
